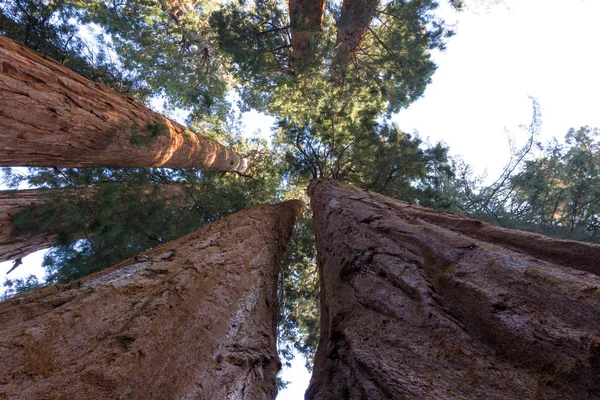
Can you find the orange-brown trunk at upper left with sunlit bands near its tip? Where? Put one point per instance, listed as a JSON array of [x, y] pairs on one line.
[[51, 116]]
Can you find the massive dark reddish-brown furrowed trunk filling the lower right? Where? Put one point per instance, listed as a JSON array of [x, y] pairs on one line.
[[423, 304]]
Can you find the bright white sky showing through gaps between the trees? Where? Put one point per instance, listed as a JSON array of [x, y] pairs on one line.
[[547, 49]]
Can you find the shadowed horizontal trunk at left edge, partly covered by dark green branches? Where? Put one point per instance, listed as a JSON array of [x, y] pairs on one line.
[[35, 219]]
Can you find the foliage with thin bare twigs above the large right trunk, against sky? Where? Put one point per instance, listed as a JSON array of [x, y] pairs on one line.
[[556, 194]]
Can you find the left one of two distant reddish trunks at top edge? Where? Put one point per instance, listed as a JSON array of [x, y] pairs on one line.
[[306, 17]]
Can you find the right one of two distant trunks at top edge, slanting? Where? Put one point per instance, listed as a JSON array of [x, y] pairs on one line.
[[355, 17]]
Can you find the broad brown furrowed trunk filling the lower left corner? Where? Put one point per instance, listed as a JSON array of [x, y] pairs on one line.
[[190, 319]]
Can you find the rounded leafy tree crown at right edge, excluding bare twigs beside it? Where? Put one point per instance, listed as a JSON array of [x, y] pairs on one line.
[[559, 193]]
